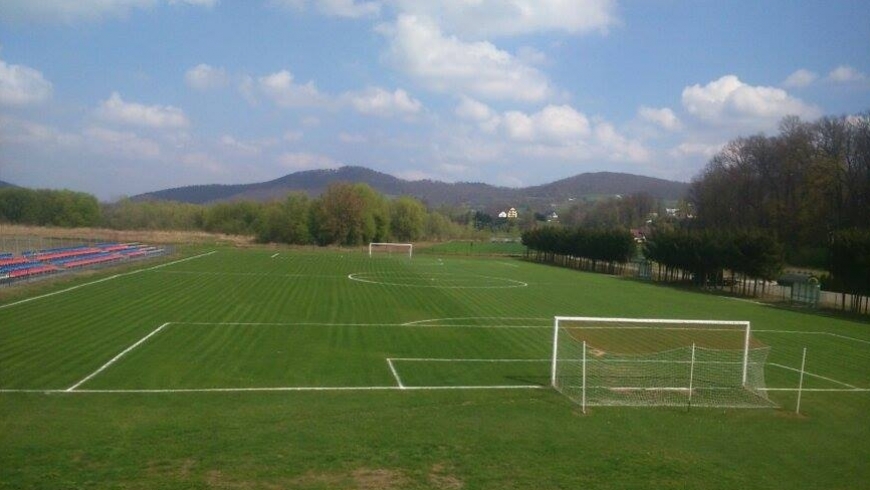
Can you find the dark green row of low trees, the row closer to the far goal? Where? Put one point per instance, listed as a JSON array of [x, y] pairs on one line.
[[583, 248]]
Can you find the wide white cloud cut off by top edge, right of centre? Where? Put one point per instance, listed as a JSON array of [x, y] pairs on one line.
[[487, 18]]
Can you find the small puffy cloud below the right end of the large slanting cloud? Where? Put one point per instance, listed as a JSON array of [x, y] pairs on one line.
[[556, 124]]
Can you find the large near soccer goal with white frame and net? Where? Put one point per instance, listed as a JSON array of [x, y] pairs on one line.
[[658, 362]]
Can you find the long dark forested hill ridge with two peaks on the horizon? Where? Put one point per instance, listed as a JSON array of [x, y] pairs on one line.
[[435, 193]]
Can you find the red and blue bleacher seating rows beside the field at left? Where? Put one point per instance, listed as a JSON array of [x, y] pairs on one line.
[[34, 263]]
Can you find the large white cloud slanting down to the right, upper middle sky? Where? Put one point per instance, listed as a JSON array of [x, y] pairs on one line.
[[448, 64]]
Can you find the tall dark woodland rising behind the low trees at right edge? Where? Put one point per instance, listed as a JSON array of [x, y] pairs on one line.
[[808, 187]]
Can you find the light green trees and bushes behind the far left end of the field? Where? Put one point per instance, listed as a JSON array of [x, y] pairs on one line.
[[345, 214]]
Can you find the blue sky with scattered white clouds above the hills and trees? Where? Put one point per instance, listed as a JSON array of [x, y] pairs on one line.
[[121, 97]]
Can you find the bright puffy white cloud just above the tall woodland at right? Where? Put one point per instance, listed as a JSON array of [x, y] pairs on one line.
[[730, 102]]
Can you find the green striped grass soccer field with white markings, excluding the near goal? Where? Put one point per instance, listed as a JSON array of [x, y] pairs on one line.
[[330, 369]]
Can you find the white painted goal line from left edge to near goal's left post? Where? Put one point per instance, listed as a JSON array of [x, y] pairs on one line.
[[283, 389]]
